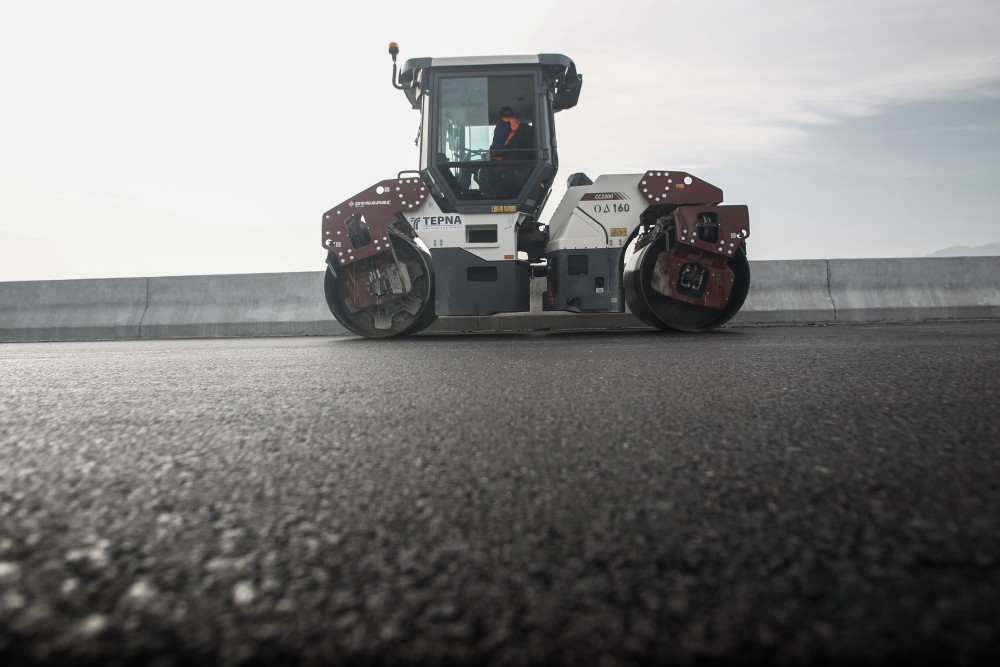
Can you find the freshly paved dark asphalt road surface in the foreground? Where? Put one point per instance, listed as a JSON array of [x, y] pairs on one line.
[[773, 495]]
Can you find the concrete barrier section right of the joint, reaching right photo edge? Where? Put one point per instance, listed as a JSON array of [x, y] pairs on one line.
[[867, 290]]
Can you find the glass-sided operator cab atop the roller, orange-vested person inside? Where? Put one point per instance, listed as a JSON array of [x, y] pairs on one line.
[[459, 100]]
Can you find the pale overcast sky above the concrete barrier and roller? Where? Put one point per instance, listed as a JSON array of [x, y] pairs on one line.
[[174, 138]]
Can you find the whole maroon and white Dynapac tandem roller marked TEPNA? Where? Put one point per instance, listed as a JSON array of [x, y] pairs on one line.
[[462, 235]]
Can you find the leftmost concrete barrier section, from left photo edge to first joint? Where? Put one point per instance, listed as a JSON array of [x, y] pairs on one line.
[[101, 309]]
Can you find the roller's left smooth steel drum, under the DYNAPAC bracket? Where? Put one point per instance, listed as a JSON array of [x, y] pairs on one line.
[[399, 316]]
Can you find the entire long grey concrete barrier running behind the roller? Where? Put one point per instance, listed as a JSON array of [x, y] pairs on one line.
[[292, 304]]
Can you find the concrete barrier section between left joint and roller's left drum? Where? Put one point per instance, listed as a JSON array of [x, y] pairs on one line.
[[262, 304]]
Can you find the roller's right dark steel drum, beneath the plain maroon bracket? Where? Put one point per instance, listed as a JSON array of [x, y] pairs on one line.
[[658, 310]]
